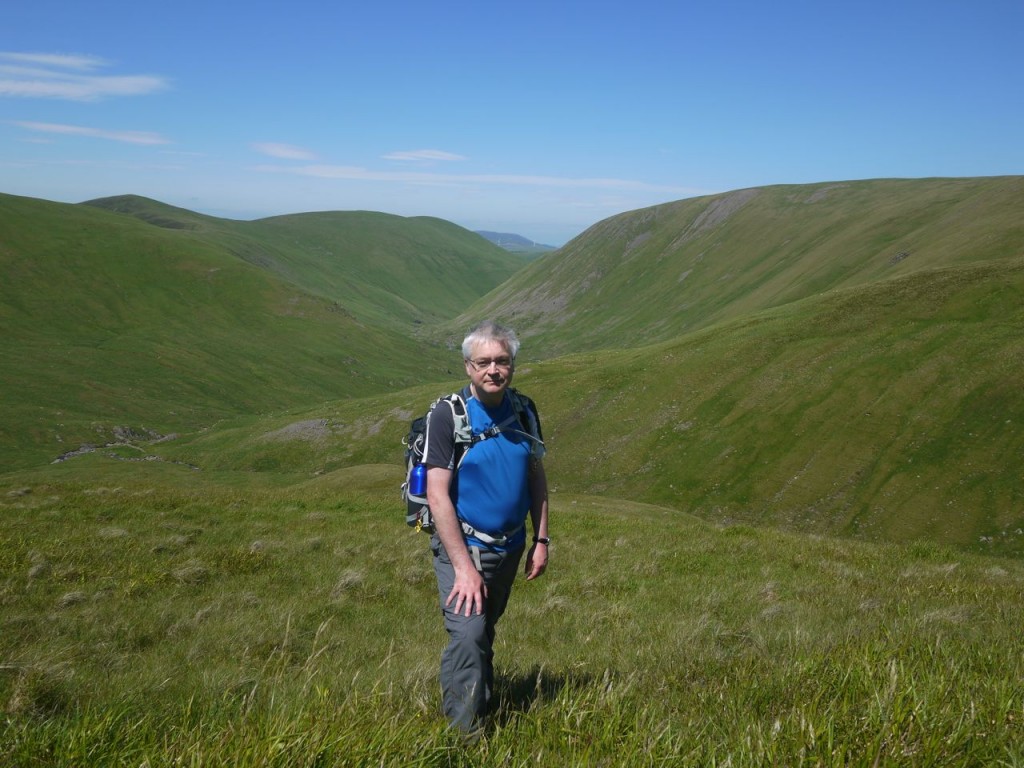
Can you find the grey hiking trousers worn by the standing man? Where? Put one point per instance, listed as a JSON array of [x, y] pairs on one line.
[[467, 675]]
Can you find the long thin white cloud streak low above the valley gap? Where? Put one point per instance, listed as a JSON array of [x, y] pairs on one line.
[[411, 178]]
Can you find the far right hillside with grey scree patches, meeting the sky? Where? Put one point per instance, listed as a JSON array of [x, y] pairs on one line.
[[656, 274]]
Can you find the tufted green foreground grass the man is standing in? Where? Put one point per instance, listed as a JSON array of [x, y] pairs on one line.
[[253, 625]]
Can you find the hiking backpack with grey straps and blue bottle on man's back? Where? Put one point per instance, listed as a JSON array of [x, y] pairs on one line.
[[414, 490]]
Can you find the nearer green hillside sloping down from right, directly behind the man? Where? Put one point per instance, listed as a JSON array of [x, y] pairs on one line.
[[890, 412]]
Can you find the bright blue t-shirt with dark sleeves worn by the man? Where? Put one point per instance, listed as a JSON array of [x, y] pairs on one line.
[[491, 489]]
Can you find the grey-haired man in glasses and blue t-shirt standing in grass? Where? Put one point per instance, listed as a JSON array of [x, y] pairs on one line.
[[480, 507]]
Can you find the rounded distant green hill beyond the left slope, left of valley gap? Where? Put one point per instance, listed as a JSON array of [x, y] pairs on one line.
[[385, 270]]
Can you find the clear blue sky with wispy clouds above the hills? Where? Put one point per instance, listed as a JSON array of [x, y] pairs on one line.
[[535, 118]]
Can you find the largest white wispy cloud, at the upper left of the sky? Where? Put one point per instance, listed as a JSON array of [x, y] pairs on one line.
[[69, 77]]
